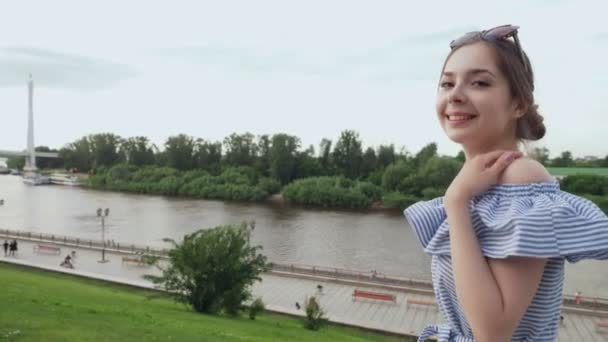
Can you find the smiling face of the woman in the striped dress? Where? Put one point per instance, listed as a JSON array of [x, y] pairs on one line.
[[474, 104]]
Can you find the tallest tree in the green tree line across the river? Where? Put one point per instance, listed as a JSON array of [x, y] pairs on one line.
[[347, 154]]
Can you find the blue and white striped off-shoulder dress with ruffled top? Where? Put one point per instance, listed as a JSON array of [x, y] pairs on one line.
[[532, 220]]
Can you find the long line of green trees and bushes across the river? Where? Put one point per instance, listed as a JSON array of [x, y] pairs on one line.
[[246, 167]]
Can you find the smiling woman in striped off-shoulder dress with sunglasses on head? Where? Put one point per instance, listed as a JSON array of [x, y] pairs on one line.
[[500, 235]]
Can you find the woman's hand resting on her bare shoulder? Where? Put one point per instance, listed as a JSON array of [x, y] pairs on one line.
[[478, 174]]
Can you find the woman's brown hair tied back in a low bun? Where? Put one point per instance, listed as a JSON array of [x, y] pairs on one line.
[[521, 83]]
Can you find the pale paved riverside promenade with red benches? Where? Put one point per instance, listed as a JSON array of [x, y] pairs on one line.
[[281, 291]]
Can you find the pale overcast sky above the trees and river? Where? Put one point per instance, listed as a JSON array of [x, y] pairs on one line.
[[309, 68]]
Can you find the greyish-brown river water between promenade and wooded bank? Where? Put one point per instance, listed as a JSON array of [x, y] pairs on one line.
[[360, 240]]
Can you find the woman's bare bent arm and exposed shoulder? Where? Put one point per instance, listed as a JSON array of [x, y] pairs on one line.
[[493, 293]]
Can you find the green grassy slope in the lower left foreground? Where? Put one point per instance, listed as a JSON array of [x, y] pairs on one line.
[[45, 306]]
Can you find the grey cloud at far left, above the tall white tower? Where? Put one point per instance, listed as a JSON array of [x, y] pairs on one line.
[[59, 70]]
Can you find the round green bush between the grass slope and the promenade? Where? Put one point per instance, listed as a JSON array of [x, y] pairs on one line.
[[213, 269]]
